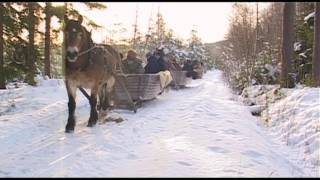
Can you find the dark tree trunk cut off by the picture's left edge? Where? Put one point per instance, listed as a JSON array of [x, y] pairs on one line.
[[2, 79]]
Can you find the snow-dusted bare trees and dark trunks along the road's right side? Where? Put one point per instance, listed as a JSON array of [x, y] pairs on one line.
[[276, 45]]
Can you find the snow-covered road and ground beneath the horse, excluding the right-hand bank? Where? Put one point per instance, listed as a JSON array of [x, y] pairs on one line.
[[199, 131]]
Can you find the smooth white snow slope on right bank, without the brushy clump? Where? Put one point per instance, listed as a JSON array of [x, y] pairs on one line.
[[295, 120]]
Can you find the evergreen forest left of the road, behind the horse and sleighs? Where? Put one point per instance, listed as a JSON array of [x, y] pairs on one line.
[[30, 45]]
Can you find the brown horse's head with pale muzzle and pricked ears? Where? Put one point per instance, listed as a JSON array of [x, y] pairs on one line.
[[76, 38]]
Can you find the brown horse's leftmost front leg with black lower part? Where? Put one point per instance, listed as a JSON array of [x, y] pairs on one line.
[[71, 90]]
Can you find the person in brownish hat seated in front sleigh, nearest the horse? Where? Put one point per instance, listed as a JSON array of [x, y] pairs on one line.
[[132, 64]]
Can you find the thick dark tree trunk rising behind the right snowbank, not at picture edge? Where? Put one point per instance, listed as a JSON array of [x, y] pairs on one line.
[[287, 80]]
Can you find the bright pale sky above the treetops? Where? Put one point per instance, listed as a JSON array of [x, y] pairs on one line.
[[210, 19]]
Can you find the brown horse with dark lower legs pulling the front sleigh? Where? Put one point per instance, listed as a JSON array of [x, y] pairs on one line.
[[87, 66]]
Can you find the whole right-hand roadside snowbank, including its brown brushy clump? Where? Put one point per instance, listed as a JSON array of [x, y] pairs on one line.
[[293, 117]]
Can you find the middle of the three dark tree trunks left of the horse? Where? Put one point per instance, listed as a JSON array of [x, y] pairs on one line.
[[31, 50]]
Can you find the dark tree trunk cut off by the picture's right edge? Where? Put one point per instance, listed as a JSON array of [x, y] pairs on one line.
[[316, 47]]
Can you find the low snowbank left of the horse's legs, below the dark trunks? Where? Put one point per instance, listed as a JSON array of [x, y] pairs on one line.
[[20, 100]]
